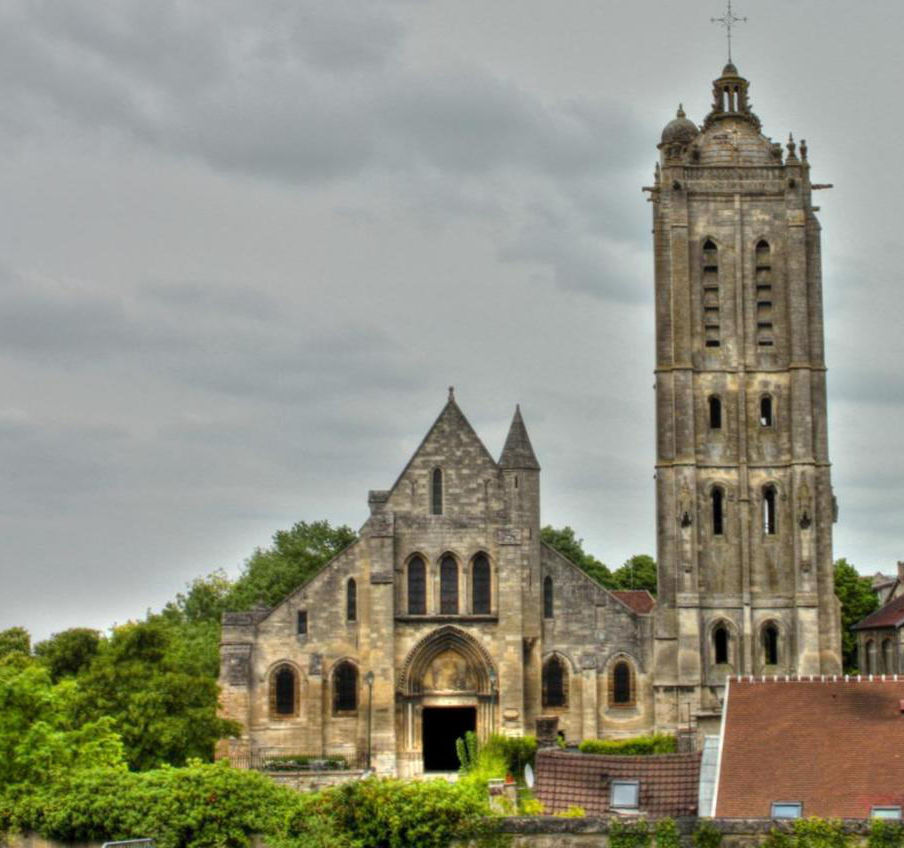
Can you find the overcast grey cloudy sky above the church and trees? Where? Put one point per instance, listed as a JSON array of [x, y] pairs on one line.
[[246, 246]]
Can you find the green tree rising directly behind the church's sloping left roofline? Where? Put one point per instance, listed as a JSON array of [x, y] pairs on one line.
[[295, 556]]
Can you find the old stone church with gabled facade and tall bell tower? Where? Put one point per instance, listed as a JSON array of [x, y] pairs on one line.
[[449, 614]]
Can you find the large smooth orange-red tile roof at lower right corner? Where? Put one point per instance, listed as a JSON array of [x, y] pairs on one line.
[[837, 746]]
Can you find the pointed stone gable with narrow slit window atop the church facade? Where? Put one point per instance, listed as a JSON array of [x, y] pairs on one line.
[[454, 448]]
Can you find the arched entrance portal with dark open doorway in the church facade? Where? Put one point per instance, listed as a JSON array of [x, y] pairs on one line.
[[446, 688]]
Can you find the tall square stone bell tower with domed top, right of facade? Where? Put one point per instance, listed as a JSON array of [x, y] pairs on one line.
[[744, 498]]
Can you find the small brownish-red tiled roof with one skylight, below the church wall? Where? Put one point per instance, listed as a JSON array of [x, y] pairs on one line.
[[668, 782]]
